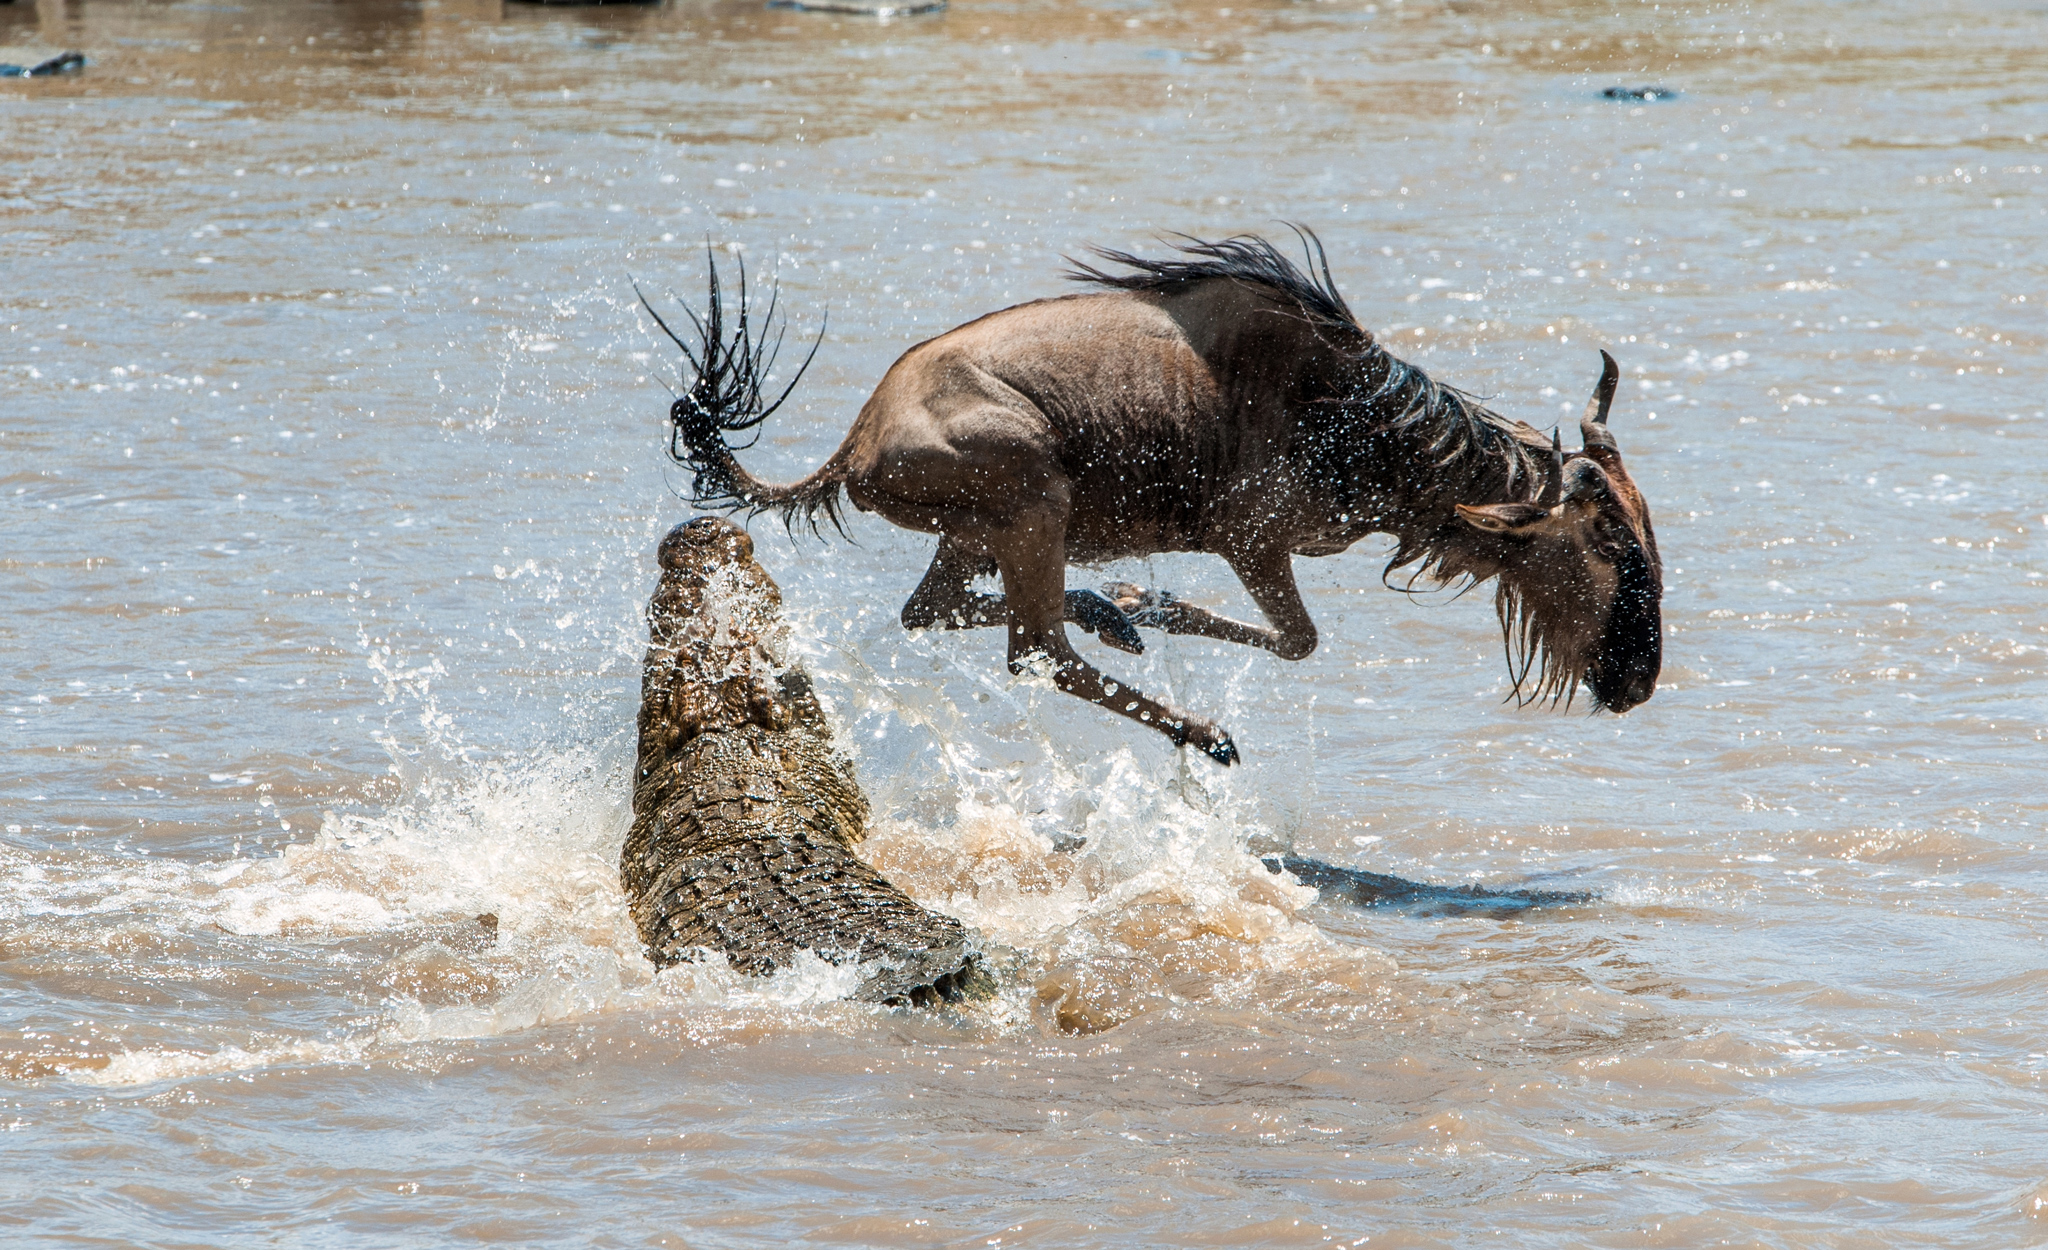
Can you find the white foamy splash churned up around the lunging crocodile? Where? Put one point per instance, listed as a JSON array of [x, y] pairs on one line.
[[1162, 878]]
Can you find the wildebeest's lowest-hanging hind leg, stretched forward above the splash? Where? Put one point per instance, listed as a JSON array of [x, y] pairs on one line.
[[1035, 569]]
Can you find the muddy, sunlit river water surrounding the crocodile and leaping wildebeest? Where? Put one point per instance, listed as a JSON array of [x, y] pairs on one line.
[[329, 491]]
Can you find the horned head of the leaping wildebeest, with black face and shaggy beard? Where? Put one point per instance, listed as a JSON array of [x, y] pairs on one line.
[[1580, 579]]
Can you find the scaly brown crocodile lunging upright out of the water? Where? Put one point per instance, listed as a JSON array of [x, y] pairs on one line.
[[744, 817]]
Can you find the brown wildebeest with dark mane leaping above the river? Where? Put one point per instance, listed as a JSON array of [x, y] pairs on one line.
[[1222, 403]]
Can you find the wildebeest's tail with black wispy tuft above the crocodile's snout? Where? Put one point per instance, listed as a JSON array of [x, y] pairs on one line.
[[726, 399]]
